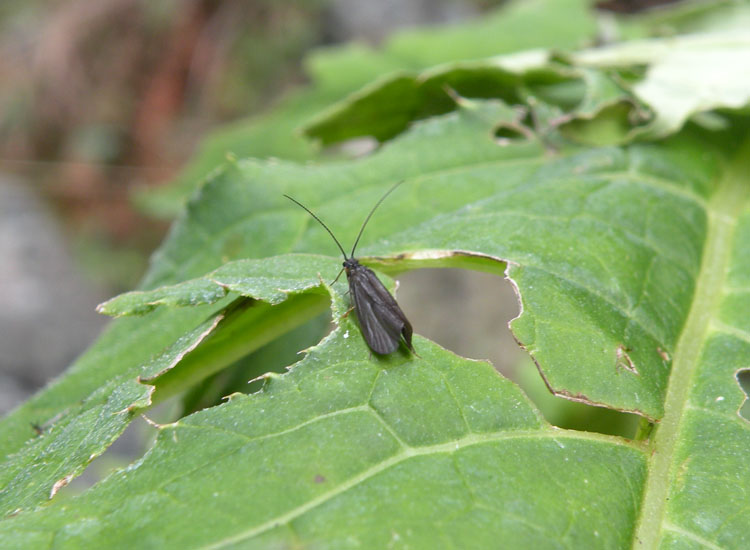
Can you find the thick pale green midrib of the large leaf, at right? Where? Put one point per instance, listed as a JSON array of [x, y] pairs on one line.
[[724, 208]]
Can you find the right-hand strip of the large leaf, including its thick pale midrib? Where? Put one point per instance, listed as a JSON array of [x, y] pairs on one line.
[[698, 476]]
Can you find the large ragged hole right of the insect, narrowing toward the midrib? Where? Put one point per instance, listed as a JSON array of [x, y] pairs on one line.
[[468, 313]]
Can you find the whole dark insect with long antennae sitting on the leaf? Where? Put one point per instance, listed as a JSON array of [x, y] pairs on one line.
[[382, 321]]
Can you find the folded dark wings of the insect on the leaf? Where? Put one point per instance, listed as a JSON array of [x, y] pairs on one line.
[[381, 320]]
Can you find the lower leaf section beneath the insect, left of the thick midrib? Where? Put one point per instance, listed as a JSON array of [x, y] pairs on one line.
[[341, 452]]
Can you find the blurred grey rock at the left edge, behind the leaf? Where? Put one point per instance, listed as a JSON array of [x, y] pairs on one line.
[[47, 314]]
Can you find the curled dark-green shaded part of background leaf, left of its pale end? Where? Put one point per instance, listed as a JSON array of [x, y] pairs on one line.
[[587, 104]]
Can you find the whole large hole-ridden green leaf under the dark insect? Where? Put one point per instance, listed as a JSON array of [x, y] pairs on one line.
[[631, 265]]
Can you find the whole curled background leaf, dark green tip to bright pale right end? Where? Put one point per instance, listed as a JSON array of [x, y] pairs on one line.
[[589, 101]]
